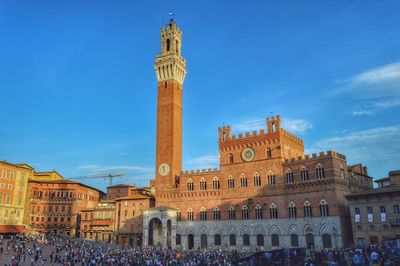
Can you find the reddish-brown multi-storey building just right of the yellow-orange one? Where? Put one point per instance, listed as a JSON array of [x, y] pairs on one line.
[[54, 204]]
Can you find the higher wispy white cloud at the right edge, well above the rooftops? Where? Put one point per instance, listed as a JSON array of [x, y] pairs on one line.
[[378, 89]]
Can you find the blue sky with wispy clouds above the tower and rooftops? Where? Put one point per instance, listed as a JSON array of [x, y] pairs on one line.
[[78, 90]]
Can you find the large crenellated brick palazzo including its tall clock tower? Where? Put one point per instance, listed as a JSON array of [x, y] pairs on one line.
[[266, 193]]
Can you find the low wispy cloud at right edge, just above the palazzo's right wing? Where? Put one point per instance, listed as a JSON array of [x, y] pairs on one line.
[[377, 145]]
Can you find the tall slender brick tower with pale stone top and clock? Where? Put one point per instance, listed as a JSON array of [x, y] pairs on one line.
[[170, 69]]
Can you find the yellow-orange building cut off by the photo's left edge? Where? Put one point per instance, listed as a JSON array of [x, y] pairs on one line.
[[13, 191]]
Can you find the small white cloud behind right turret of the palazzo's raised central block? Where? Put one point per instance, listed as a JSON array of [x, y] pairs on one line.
[[299, 126]]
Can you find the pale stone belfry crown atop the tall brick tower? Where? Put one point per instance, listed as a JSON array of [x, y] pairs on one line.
[[170, 65]]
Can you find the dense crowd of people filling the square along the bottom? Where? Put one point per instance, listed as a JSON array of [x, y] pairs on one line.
[[59, 250]]
